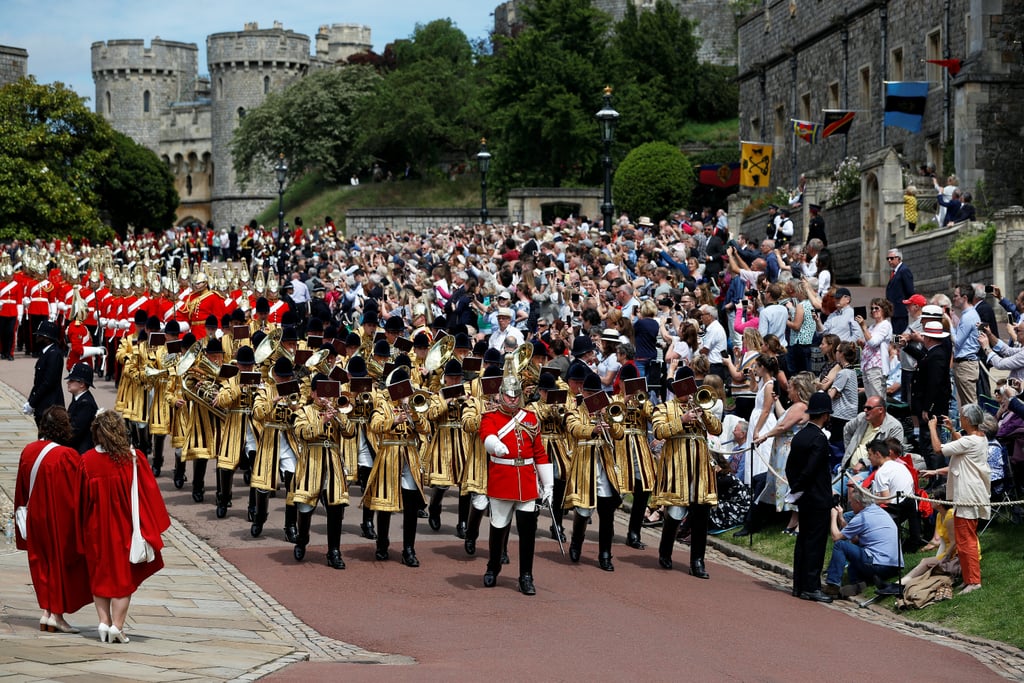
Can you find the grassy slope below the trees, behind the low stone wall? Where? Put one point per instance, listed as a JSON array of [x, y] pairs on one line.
[[313, 198]]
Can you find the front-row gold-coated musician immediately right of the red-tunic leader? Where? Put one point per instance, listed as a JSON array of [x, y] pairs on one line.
[[594, 479]]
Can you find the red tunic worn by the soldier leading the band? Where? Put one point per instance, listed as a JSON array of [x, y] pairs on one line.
[[506, 481]]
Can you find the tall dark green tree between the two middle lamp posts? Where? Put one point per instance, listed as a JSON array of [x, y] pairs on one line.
[[546, 88]]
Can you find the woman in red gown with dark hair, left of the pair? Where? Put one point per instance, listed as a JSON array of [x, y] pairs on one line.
[[58, 568]]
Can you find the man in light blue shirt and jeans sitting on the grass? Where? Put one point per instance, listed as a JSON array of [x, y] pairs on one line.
[[868, 547]]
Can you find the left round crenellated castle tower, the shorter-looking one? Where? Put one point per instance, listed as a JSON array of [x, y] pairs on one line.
[[137, 86]]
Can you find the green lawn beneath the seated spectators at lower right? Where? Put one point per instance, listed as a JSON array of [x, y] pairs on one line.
[[996, 613]]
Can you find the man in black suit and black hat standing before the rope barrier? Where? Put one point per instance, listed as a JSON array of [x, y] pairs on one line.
[[810, 487]]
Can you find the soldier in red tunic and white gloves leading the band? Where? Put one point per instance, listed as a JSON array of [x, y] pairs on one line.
[[518, 460]]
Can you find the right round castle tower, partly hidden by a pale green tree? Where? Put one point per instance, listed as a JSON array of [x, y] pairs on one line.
[[245, 67]]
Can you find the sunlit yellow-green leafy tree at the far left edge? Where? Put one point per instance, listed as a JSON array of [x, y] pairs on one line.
[[53, 157]]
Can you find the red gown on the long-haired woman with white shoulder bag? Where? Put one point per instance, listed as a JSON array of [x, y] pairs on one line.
[[106, 522]]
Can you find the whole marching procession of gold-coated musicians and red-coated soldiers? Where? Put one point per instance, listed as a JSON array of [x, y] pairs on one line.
[[218, 363]]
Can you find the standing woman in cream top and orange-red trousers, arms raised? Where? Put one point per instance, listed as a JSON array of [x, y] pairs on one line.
[[968, 486]]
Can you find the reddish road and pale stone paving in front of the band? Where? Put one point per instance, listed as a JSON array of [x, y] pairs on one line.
[[638, 621]]
